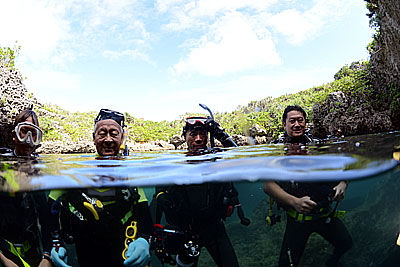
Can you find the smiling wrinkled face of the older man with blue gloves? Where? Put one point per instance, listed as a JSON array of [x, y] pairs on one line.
[[107, 137]]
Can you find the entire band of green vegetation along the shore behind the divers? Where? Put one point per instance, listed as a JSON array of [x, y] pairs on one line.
[[353, 80]]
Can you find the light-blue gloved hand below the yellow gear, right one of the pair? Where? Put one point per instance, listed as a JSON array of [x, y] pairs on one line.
[[138, 253]]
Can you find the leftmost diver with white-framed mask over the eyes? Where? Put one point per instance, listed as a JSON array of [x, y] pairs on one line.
[[22, 242]]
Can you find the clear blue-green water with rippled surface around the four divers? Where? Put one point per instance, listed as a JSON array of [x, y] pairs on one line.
[[372, 198]]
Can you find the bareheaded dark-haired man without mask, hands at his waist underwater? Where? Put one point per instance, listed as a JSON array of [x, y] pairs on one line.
[[308, 205]]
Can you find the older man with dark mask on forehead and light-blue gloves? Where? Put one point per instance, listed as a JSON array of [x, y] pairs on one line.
[[109, 226]]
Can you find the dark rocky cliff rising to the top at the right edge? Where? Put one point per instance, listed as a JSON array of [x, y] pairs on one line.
[[375, 106]]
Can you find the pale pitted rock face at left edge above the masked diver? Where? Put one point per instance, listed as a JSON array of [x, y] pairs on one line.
[[14, 98]]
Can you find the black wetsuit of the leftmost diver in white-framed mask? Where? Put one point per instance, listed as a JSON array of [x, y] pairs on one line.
[[20, 213]]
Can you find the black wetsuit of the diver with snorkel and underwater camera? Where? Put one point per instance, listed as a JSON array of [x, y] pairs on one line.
[[199, 209]]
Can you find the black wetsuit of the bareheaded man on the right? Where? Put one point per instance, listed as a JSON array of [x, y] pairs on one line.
[[299, 229]]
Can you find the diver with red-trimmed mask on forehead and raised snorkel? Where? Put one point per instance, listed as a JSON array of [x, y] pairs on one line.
[[200, 209]]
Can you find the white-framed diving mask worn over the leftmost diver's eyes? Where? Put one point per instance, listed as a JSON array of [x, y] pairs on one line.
[[28, 133]]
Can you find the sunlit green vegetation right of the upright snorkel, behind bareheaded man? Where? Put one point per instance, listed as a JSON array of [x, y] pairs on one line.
[[352, 80]]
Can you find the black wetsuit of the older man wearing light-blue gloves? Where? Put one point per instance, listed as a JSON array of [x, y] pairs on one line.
[[101, 242]]
